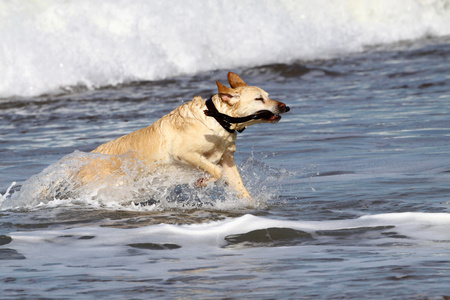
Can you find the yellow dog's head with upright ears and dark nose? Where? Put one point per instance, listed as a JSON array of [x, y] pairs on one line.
[[247, 100]]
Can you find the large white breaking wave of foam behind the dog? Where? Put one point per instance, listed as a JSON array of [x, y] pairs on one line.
[[50, 45]]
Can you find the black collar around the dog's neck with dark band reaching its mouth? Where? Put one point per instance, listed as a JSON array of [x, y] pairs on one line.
[[226, 121]]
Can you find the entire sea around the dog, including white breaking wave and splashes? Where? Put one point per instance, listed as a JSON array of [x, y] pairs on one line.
[[352, 186]]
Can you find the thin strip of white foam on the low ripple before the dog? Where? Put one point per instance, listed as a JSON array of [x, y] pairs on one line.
[[419, 228]]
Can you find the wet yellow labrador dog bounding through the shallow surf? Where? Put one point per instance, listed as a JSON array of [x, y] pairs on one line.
[[200, 134]]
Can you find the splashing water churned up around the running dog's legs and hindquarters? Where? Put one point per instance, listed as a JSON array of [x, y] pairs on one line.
[[153, 191]]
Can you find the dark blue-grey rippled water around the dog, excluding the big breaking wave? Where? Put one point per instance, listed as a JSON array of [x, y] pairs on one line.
[[353, 183]]
